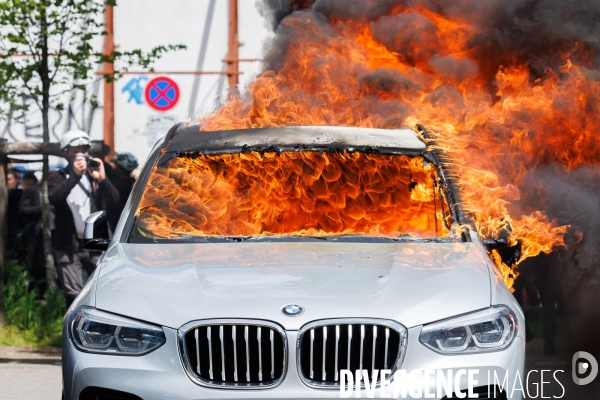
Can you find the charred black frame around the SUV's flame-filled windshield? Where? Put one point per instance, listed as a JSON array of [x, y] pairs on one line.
[[161, 155]]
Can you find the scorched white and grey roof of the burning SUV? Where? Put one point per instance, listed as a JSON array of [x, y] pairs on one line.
[[295, 138]]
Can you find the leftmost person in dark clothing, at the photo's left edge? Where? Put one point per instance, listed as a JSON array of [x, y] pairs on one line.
[[14, 246]]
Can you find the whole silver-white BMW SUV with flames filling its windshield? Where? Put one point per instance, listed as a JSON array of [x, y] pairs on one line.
[[264, 263]]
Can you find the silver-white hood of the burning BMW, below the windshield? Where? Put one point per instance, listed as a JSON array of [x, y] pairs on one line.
[[411, 283]]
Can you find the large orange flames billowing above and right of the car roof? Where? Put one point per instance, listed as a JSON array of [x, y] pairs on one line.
[[492, 114]]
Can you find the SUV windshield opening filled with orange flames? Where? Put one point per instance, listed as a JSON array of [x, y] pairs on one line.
[[293, 194]]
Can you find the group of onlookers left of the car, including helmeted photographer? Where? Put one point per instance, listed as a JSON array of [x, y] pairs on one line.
[[86, 185]]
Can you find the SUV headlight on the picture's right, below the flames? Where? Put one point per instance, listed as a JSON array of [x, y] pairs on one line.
[[492, 329]]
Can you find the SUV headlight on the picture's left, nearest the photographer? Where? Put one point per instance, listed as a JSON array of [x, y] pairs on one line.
[[97, 331]]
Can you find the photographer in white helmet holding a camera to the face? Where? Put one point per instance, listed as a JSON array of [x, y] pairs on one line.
[[77, 191]]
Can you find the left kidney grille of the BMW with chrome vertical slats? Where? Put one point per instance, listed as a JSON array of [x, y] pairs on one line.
[[214, 353]]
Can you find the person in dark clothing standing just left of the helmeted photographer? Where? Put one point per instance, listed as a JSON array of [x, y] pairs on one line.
[[30, 211]]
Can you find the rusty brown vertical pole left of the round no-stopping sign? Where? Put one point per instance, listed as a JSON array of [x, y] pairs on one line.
[[109, 87]]
